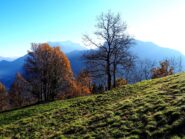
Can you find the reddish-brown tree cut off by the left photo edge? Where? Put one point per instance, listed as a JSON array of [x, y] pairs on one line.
[[3, 98]]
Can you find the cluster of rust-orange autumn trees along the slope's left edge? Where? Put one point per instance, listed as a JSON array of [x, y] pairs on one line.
[[48, 76]]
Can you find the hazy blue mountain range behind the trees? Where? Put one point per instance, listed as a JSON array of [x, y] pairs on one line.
[[74, 52]]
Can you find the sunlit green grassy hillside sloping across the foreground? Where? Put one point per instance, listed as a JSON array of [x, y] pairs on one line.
[[149, 109]]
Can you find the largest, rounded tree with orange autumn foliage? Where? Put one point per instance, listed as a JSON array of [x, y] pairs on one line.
[[49, 71]]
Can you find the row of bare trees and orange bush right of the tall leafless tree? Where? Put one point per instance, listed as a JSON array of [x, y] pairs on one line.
[[145, 69]]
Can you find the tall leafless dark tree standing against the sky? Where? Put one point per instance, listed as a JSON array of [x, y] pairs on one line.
[[113, 44]]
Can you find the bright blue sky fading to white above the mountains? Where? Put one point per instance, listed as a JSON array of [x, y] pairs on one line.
[[23, 22]]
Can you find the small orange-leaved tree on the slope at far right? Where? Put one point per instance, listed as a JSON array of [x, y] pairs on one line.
[[163, 70]]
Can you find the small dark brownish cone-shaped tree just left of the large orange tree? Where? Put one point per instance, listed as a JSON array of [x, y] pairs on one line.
[[20, 92]]
